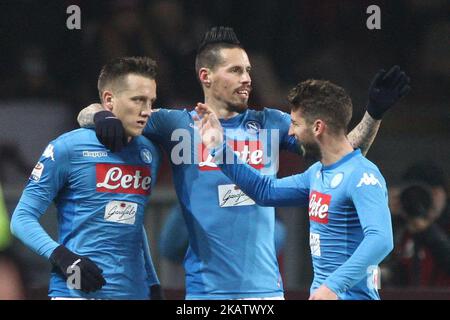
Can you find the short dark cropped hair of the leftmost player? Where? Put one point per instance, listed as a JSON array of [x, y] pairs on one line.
[[117, 69]]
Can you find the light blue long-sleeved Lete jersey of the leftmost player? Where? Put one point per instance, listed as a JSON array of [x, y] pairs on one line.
[[100, 198]]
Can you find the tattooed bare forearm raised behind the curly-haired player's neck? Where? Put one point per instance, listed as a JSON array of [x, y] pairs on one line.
[[364, 133]]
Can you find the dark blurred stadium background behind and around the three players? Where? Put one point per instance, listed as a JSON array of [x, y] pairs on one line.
[[48, 73]]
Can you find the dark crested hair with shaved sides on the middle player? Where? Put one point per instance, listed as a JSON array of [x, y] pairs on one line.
[[216, 39]]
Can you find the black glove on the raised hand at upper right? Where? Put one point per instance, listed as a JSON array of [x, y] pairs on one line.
[[385, 90]]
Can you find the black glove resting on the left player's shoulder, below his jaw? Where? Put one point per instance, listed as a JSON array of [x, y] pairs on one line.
[[109, 131]]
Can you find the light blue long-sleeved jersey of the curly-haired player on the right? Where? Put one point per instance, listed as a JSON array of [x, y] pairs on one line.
[[350, 223]]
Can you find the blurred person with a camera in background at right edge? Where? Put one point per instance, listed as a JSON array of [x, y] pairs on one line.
[[420, 209]]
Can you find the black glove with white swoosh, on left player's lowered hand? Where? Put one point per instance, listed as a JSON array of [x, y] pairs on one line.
[[91, 275]]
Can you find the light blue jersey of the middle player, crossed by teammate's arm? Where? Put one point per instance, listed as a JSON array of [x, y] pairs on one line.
[[231, 250]]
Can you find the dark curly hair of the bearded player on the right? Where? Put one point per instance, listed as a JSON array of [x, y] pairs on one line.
[[320, 99]]
